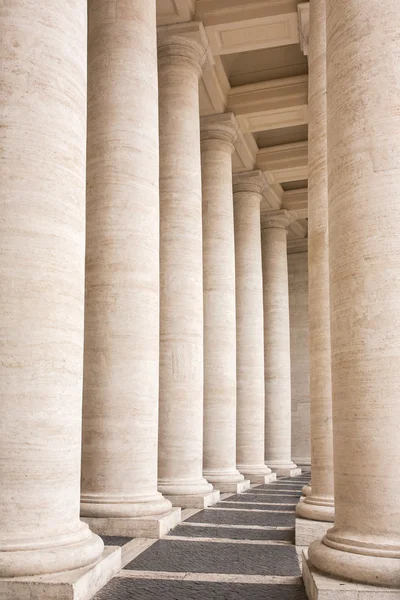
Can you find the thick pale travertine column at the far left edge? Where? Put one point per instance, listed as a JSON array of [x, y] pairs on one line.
[[42, 260]]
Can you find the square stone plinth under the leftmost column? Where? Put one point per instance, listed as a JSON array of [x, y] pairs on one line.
[[80, 584]]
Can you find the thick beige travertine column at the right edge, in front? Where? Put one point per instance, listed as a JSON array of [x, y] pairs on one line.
[[363, 86]]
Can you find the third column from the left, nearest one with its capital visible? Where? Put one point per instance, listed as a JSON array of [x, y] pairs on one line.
[[181, 53]]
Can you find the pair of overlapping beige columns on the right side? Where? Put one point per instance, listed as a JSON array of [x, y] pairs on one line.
[[354, 285]]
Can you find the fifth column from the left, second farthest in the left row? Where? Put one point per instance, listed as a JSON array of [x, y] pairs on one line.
[[248, 190]]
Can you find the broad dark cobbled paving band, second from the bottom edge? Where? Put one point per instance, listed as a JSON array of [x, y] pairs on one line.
[[207, 557]]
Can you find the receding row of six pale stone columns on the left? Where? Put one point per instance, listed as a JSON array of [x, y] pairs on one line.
[[172, 287]]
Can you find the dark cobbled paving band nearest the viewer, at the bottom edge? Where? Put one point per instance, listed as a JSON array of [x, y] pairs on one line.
[[143, 589]]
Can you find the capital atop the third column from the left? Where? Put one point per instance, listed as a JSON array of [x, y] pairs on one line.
[[183, 43]]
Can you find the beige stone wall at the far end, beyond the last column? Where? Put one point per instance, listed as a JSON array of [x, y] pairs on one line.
[[300, 371]]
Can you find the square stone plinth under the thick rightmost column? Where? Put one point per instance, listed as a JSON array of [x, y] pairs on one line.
[[321, 587]]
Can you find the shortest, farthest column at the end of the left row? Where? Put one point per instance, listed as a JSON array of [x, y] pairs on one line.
[[278, 413]]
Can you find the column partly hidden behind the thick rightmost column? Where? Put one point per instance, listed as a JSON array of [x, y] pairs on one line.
[[319, 504]]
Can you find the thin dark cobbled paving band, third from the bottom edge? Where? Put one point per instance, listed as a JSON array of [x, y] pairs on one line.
[[234, 534]]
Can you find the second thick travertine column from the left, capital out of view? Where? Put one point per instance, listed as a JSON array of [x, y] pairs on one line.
[[120, 407]]
